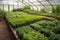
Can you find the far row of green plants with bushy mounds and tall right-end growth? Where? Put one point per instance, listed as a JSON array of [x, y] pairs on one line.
[[55, 11]]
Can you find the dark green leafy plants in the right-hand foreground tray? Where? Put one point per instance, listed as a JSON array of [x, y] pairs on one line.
[[50, 28]]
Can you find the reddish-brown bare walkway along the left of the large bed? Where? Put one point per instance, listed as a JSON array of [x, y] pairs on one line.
[[5, 33]]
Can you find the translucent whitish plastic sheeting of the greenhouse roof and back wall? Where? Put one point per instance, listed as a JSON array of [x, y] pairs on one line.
[[36, 4]]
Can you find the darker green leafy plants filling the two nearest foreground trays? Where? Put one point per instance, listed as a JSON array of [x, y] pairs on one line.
[[41, 30]]
